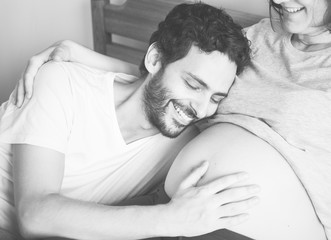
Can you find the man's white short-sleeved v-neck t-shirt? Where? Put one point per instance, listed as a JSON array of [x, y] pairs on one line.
[[72, 111]]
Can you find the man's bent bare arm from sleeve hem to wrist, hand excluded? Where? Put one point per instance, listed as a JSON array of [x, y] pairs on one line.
[[44, 212]]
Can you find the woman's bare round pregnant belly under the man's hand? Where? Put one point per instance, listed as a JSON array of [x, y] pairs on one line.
[[285, 211]]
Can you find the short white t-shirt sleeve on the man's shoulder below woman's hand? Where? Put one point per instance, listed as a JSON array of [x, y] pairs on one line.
[[47, 118]]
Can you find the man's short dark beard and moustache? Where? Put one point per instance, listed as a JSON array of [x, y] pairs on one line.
[[156, 100]]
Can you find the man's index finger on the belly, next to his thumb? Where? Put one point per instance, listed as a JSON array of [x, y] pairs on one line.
[[224, 182]]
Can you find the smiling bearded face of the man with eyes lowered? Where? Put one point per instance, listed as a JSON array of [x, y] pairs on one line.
[[188, 90]]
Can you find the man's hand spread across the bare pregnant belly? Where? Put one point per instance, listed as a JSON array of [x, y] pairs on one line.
[[196, 210]]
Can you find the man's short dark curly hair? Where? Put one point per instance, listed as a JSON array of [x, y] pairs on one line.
[[207, 27]]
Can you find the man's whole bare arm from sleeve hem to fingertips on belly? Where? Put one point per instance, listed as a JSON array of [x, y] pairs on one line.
[[43, 212]]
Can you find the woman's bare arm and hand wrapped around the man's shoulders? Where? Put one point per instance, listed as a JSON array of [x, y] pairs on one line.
[[67, 51]]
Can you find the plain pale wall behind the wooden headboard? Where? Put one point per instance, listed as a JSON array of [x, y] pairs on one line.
[[28, 26]]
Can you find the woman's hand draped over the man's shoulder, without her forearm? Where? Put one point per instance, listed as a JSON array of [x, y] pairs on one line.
[[57, 52]]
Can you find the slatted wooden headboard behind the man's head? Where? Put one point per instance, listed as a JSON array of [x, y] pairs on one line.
[[136, 20]]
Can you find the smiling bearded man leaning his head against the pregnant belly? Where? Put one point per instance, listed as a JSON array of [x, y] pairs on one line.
[[88, 139]]
